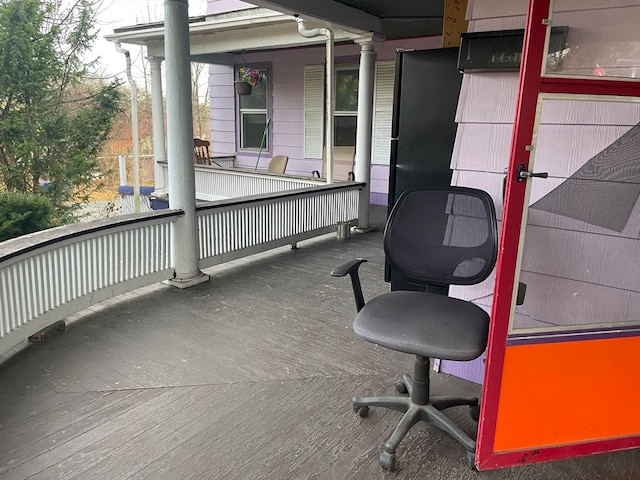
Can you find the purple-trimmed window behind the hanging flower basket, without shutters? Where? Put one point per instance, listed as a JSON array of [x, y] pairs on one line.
[[254, 116]]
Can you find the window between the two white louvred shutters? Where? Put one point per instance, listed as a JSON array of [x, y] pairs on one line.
[[346, 112]]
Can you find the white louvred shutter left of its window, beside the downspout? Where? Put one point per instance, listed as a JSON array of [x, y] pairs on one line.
[[313, 110]]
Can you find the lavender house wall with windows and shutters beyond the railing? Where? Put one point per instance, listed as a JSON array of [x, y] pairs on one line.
[[291, 100]]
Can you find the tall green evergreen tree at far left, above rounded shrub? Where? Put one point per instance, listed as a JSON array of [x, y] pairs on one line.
[[53, 119]]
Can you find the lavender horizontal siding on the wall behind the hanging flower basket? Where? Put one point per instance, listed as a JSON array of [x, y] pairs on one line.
[[286, 81]]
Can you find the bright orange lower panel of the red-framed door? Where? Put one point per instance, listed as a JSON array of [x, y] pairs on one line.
[[568, 392]]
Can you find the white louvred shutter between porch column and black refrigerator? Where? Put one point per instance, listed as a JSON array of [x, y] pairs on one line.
[[383, 112]]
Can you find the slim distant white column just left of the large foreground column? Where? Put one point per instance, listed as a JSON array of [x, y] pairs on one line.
[[157, 114]]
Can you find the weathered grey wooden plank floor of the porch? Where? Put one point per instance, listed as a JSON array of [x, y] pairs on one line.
[[248, 376]]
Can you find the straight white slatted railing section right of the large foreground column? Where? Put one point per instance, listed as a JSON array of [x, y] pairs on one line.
[[230, 229]]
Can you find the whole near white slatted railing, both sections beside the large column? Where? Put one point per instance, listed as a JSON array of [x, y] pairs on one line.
[[49, 275]]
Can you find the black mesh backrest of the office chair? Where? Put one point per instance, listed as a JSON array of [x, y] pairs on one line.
[[445, 236]]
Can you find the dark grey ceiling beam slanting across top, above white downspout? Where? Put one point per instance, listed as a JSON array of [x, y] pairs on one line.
[[331, 12]]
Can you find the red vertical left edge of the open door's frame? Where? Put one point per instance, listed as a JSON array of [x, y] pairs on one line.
[[526, 105]]
